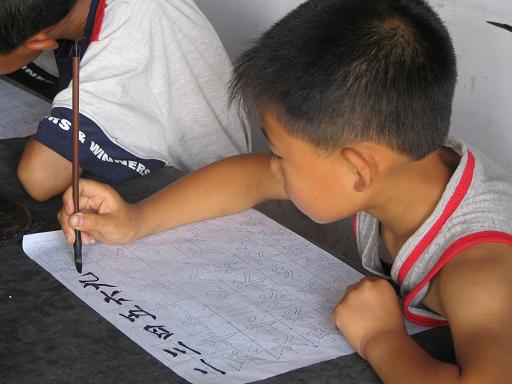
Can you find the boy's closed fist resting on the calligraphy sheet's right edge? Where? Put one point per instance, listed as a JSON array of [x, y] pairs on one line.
[[368, 310]]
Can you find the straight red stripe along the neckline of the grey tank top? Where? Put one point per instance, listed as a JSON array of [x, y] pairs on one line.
[[451, 206]]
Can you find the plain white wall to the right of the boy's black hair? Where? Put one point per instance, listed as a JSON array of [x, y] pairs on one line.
[[482, 112]]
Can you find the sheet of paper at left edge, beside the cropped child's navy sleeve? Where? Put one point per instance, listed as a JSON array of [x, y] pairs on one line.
[[20, 112]]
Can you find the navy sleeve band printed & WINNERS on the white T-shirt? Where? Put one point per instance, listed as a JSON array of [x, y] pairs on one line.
[[98, 154]]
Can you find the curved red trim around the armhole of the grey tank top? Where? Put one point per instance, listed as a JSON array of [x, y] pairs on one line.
[[452, 251]]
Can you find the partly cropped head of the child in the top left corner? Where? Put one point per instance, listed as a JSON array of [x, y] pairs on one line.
[[23, 20]]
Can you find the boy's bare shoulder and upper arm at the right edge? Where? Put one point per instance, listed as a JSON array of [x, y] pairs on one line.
[[475, 291]]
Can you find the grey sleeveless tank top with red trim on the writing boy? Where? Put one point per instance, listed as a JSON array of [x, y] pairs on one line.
[[476, 207]]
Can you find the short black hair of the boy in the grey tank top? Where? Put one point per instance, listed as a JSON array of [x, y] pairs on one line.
[[343, 71]]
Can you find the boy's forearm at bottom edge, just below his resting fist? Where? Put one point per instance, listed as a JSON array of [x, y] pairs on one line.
[[397, 359]]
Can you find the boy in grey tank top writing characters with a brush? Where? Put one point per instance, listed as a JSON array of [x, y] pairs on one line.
[[355, 101]]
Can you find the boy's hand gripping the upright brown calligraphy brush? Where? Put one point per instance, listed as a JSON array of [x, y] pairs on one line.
[[103, 216]]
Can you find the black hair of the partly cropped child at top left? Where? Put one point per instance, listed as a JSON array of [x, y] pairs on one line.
[[22, 19]]
